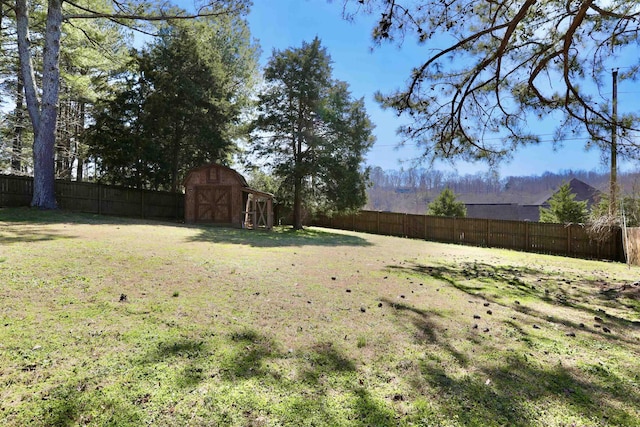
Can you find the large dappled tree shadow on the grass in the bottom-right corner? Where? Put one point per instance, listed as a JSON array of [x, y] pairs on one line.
[[497, 392]]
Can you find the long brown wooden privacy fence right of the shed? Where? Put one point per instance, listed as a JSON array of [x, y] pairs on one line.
[[558, 239]]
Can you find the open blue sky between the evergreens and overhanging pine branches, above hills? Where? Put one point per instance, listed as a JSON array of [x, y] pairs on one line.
[[280, 24]]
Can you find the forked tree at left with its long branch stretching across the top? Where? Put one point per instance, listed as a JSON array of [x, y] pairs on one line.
[[42, 92]]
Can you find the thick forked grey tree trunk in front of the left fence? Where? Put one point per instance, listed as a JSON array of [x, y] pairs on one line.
[[43, 114]]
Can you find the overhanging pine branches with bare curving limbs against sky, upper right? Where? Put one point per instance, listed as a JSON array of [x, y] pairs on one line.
[[502, 66]]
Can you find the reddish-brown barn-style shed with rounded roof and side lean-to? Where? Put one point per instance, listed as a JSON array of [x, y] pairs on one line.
[[220, 195]]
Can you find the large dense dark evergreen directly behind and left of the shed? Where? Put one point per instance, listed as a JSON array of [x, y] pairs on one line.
[[181, 106]]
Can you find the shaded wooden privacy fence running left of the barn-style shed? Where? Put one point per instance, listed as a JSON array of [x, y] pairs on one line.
[[97, 198]]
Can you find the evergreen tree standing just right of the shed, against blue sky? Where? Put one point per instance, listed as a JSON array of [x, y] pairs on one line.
[[312, 133]]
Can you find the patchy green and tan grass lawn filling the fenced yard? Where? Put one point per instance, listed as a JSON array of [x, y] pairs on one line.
[[110, 321]]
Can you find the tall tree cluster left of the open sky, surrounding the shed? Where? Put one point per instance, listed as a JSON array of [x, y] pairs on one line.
[[89, 101]]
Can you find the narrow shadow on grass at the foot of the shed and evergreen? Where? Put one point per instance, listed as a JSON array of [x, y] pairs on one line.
[[278, 237]]
